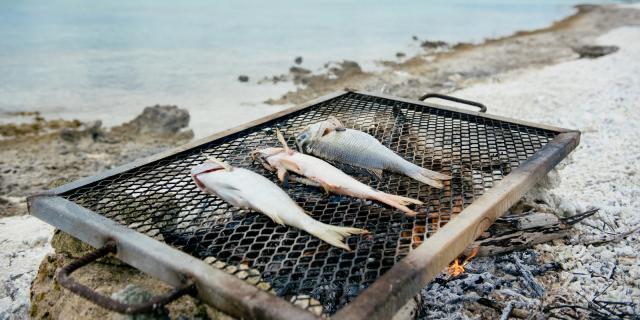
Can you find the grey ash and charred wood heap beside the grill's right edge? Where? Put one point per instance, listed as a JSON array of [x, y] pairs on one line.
[[519, 268]]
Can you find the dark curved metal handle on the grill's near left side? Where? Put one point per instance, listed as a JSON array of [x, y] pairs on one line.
[[63, 277]]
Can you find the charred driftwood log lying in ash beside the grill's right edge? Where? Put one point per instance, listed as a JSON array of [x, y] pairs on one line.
[[518, 232]]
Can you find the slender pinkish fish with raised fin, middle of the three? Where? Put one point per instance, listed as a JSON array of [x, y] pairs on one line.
[[318, 172]]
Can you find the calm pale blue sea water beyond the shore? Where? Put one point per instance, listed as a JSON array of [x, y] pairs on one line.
[[107, 60]]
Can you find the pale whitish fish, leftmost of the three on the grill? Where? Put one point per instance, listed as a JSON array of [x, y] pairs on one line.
[[246, 189]]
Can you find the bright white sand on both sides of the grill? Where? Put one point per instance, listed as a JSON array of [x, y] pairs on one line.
[[600, 97]]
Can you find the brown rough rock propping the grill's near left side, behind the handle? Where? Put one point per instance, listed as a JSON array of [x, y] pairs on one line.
[[49, 300]]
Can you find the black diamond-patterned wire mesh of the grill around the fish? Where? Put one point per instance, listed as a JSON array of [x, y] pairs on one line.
[[161, 201]]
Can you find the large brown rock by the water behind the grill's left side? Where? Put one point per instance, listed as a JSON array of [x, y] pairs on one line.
[[156, 121]]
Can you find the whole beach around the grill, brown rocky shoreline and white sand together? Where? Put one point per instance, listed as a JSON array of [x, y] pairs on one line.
[[512, 70]]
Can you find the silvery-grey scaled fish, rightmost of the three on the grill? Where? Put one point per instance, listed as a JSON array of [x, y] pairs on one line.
[[330, 140]]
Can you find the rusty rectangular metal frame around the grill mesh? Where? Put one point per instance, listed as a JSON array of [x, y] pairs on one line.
[[226, 292]]
